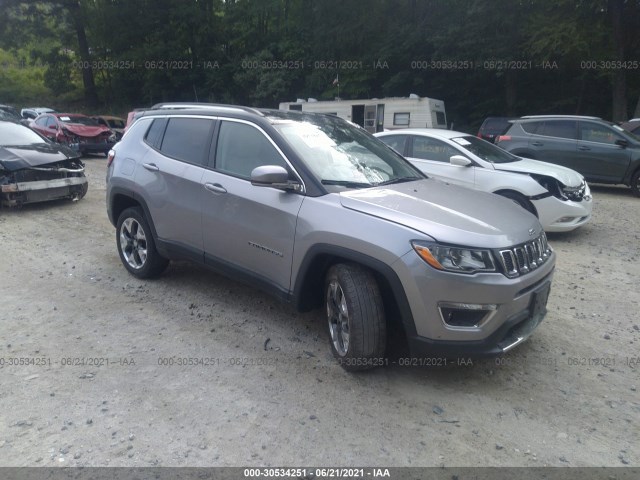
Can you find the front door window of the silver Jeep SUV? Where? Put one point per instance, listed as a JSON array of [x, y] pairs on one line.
[[241, 148]]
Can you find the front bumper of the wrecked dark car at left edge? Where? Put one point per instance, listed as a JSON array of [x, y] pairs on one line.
[[14, 194]]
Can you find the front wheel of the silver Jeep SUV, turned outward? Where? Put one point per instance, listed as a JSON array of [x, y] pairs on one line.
[[355, 316]]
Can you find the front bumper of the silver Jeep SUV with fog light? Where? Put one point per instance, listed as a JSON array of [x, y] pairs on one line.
[[509, 309]]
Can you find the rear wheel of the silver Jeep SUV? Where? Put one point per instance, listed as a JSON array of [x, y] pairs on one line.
[[136, 246]]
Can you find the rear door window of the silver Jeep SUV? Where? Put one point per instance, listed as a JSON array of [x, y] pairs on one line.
[[187, 139]]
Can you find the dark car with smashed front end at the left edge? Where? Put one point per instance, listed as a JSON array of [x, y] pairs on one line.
[[33, 169]]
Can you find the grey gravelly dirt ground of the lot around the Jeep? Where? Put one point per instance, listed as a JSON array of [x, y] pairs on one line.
[[568, 397]]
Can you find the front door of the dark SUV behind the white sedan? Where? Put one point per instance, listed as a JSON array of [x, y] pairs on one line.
[[600, 158]]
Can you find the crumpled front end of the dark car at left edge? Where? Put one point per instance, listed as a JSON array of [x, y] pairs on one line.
[[62, 180]]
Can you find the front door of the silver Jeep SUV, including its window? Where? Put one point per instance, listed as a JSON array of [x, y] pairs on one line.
[[248, 228]]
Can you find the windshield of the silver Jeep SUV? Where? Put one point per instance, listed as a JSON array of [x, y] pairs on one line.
[[342, 155]]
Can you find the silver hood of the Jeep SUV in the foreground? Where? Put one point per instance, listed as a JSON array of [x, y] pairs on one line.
[[447, 213]]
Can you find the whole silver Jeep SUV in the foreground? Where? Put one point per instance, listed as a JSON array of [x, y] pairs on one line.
[[321, 214]]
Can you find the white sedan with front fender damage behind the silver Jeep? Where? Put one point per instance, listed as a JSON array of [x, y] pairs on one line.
[[558, 196]]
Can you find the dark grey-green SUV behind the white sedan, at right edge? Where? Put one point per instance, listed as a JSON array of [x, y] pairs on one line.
[[601, 151]]
